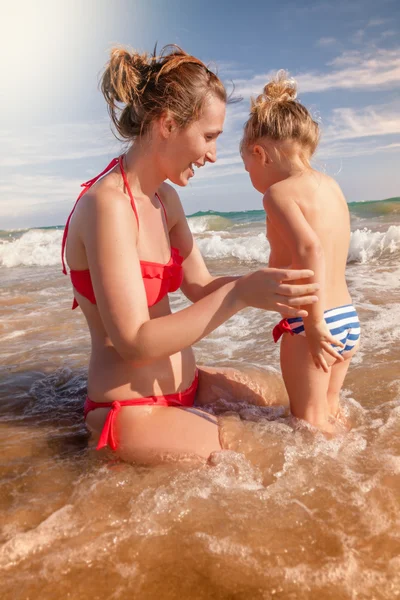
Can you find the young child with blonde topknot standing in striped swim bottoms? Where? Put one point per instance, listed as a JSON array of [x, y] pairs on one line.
[[308, 226]]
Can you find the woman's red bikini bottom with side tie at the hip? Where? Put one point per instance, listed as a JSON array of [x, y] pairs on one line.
[[107, 436]]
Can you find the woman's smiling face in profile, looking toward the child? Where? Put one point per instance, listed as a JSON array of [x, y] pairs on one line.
[[196, 144]]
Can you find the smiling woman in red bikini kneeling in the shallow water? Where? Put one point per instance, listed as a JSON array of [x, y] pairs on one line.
[[128, 244]]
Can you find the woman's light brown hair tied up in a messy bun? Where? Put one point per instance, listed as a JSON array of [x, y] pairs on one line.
[[139, 88]]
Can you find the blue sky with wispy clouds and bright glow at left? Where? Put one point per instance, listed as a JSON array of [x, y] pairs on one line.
[[55, 129]]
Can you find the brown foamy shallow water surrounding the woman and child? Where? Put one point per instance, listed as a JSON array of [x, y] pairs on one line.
[[284, 513]]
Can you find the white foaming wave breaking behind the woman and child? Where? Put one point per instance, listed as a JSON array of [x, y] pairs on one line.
[[42, 248]]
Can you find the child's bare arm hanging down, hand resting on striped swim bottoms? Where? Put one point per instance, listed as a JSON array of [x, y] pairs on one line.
[[306, 250]]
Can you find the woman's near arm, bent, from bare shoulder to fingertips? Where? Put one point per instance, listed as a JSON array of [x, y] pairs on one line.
[[110, 239]]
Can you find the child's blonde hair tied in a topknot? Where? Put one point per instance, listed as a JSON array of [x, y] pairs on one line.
[[277, 115]]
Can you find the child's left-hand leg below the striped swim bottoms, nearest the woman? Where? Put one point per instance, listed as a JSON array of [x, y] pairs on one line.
[[306, 385]]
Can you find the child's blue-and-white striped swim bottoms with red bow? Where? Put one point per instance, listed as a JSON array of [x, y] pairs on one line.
[[343, 323]]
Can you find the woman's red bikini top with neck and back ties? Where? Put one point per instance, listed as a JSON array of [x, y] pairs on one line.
[[158, 279]]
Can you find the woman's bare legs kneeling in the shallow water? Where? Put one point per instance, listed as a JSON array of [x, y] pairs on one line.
[[150, 434]]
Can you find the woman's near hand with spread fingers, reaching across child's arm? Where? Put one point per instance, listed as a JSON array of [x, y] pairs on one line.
[[269, 289]]
